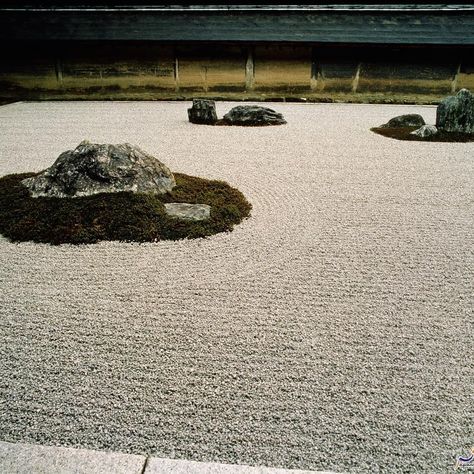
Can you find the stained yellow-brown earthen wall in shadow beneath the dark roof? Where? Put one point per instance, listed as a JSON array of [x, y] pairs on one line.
[[297, 71]]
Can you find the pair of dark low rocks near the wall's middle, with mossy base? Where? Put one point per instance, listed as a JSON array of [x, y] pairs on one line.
[[203, 111]]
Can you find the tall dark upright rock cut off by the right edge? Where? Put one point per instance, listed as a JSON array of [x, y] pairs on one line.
[[456, 113]]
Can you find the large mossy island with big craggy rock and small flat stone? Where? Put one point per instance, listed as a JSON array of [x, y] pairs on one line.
[[114, 192]]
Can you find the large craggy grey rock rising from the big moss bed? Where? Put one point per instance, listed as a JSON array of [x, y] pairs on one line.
[[92, 168]]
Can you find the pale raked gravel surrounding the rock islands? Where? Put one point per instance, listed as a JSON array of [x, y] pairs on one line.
[[331, 330]]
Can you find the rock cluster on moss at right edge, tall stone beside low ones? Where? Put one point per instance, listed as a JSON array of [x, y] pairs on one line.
[[454, 122]]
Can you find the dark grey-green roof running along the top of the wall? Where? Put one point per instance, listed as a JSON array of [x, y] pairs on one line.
[[452, 27]]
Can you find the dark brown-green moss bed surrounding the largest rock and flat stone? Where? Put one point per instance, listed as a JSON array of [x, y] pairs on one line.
[[117, 216]]
